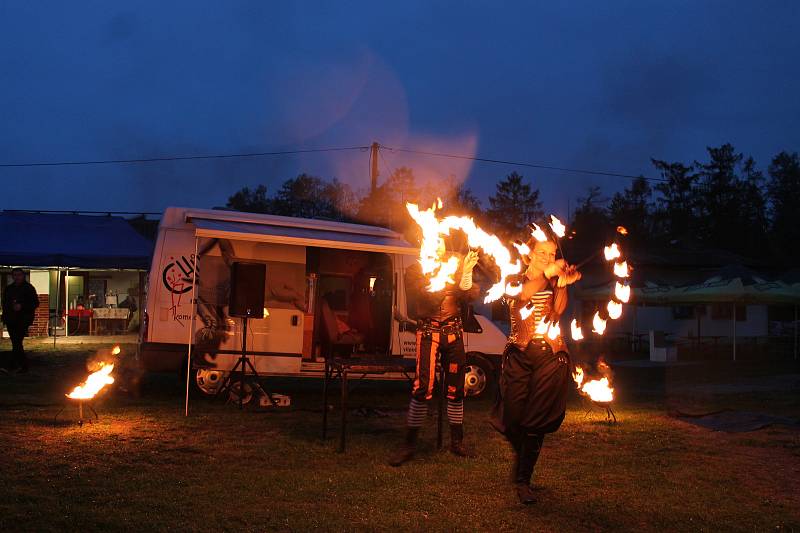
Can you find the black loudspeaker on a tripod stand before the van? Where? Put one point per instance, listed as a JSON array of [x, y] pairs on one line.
[[248, 282]]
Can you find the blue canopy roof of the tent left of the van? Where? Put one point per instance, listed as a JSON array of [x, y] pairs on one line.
[[74, 241]]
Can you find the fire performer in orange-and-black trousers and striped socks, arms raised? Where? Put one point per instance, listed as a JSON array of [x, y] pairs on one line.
[[439, 331]]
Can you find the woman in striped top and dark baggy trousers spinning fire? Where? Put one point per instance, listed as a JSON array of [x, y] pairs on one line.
[[536, 376]]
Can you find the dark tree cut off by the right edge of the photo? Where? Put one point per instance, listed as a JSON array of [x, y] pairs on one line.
[[783, 190]]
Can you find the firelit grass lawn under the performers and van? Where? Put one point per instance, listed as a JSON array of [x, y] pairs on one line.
[[144, 466]]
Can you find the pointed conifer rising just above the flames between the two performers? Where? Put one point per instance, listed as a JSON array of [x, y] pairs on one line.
[[513, 207]]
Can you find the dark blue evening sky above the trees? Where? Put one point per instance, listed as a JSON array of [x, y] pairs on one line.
[[599, 85]]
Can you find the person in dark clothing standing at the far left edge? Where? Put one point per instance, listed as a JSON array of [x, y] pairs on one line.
[[19, 305]]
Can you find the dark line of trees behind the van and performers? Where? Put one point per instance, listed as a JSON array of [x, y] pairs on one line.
[[723, 203]]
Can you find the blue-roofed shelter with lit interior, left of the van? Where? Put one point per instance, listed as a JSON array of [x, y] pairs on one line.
[[82, 266]]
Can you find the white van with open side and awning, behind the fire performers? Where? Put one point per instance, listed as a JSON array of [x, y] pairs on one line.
[[356, 271]]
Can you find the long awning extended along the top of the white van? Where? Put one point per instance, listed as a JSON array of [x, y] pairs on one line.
[[305, 236]]
